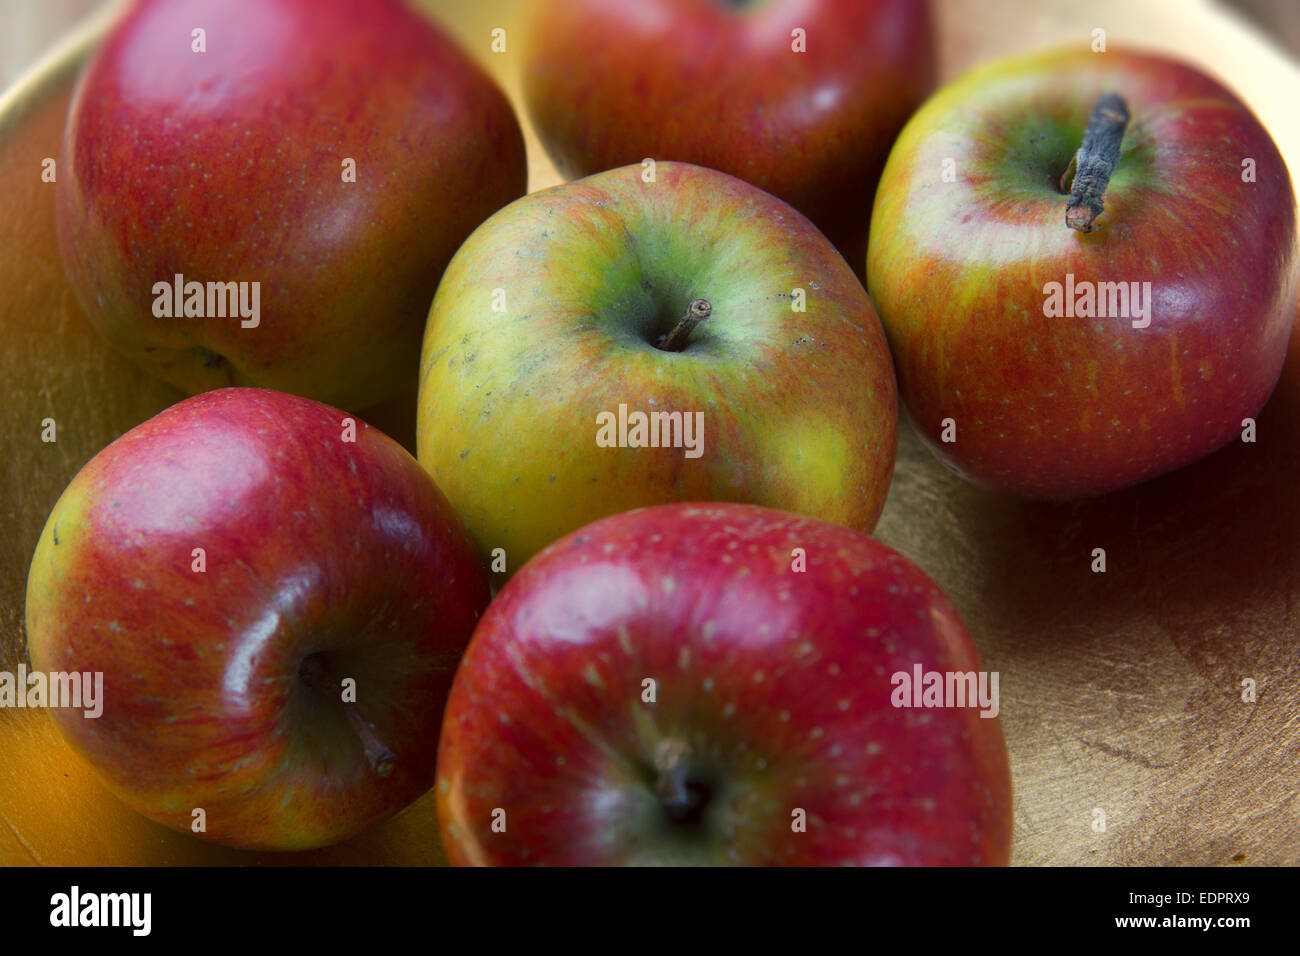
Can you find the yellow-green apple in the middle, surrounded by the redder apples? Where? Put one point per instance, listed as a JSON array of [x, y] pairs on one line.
[[578, 322]]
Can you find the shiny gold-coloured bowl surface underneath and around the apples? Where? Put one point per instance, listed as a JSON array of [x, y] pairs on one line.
[[1121, 691]]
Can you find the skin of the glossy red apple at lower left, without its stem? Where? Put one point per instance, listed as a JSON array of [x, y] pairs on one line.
[[314, 546]]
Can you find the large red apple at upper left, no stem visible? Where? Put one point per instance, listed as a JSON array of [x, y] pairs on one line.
[[227, 166]]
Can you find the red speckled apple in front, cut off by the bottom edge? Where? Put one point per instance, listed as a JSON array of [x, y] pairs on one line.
[[720, 684]]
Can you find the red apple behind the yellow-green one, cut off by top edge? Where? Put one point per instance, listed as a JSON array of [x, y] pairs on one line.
[[729, 84]]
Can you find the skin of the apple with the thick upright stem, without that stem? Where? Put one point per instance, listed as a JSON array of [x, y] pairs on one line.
[[1067, 408]]
